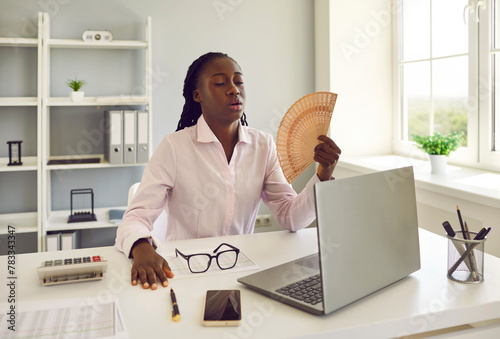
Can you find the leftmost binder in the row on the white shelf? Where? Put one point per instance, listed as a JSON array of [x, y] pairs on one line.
[[113, 141]]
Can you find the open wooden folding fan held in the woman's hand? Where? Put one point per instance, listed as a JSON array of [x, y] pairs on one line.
[[307, 119]]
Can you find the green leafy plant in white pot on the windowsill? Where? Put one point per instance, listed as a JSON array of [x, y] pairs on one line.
[[438, 147]]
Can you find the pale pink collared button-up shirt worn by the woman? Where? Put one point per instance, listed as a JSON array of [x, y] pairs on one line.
[[204, 195]]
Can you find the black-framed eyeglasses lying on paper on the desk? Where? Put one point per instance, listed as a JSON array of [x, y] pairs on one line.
[[199, 263]]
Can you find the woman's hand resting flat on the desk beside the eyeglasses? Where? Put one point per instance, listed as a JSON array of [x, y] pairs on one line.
[[149, 266]]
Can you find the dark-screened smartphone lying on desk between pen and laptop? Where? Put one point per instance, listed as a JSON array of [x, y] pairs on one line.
[[222, 308]]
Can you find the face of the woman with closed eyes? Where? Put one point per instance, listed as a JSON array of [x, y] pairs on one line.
[[220, 92]]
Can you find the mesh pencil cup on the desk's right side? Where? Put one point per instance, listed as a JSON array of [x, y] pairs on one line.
[[465, 259]]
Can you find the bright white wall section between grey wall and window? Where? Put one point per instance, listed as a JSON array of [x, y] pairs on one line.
[[358, 34]]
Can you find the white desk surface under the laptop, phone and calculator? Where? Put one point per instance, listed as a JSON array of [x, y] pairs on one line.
[[425, 301]]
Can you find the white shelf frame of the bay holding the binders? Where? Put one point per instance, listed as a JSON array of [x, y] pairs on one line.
[[53, 220]]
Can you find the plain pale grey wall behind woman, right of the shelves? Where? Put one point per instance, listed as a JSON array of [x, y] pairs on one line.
[[271, 40]]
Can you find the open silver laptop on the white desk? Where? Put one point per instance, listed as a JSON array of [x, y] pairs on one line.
[[367, 239]]
